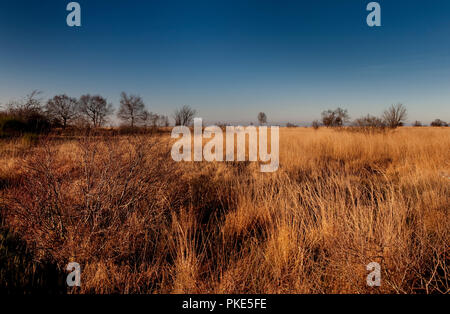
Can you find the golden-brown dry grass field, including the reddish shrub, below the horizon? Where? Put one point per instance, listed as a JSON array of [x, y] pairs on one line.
[[137, 222]]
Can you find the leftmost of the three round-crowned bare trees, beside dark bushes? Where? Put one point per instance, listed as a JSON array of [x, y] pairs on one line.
[[62, 108]]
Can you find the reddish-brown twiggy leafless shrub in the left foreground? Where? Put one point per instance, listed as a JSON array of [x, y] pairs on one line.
[[99, 201]]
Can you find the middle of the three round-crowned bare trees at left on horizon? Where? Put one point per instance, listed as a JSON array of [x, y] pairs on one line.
[[95, 109]]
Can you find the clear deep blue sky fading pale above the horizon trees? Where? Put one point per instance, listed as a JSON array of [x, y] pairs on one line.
[[230, 59]]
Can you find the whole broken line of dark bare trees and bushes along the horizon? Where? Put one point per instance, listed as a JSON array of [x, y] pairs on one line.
[[32, 114]]
